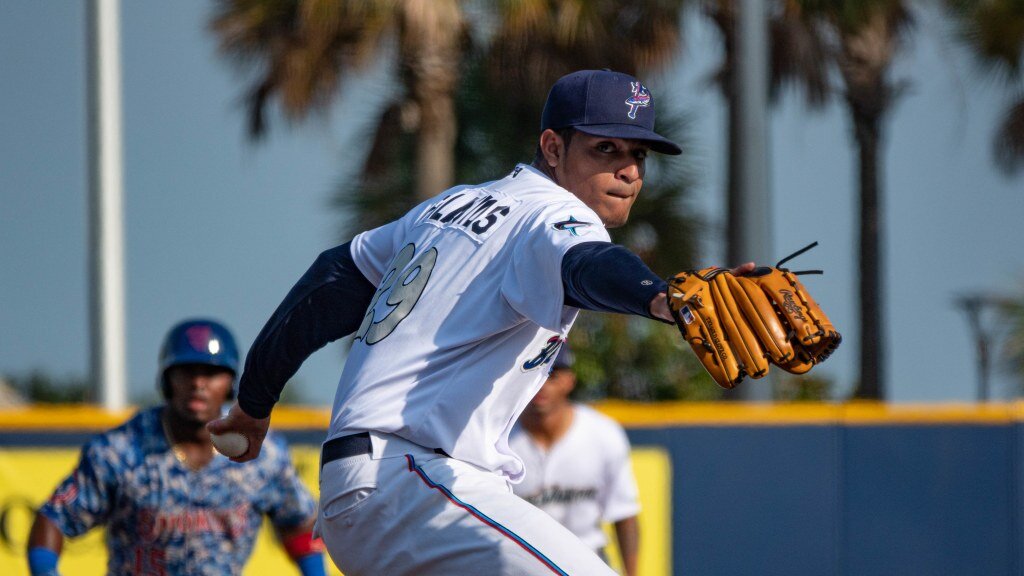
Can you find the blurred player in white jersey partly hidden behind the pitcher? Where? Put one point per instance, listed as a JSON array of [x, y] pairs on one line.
[[578, 466]]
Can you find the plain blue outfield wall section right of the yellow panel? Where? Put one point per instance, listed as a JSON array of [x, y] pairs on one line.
[[844, 500]]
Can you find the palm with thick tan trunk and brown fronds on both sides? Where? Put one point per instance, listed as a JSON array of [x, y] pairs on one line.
[[302, 51]]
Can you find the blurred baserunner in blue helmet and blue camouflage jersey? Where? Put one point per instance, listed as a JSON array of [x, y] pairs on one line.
[[170, 504]]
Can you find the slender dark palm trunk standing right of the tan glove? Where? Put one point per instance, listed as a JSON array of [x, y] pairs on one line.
[[868, 132]]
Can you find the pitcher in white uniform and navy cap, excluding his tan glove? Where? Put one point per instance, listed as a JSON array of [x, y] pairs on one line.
[[468, 312]]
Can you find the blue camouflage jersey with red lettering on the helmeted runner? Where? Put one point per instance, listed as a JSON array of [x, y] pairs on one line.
[[163, 518]]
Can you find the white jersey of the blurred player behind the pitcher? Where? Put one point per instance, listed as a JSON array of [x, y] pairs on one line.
[[584, 479]]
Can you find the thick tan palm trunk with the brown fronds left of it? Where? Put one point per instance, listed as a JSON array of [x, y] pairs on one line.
[[302, 51]]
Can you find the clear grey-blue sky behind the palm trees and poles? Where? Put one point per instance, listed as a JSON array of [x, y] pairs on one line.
[[220, 227]]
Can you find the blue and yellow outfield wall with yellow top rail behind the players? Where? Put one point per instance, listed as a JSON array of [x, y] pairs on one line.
[[854, 489]]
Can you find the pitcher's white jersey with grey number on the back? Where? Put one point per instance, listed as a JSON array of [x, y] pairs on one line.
[[468, 314]]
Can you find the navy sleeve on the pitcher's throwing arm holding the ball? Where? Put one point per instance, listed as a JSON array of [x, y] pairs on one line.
[[327, 304]]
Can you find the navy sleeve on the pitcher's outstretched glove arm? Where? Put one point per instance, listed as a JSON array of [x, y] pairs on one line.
[[606, 277]]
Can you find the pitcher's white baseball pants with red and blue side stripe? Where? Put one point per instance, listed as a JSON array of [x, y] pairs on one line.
[[407, 511]]
